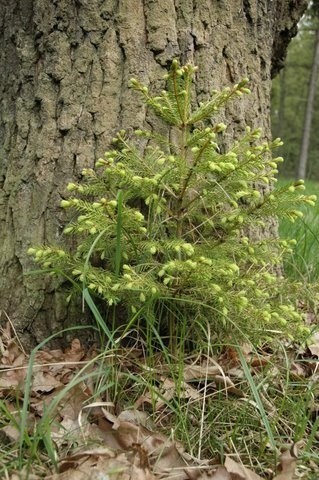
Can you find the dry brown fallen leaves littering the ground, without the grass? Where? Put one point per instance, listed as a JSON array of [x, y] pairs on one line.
[[96, 443]]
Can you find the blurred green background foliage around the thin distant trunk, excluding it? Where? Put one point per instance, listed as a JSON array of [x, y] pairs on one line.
[[289, 96]]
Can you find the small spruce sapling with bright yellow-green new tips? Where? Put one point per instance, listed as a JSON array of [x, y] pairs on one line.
[[162, 229]]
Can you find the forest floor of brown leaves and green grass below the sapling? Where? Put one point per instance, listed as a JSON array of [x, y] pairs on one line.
[[77, 414]]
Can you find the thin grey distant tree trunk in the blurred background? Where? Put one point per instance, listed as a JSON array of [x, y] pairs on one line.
[[305, 141]]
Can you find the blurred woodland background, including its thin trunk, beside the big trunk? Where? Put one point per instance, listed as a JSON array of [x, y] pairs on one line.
[[294, 95]]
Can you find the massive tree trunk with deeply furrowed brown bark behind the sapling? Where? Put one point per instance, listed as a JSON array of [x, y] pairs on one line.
[[64, 93]]
